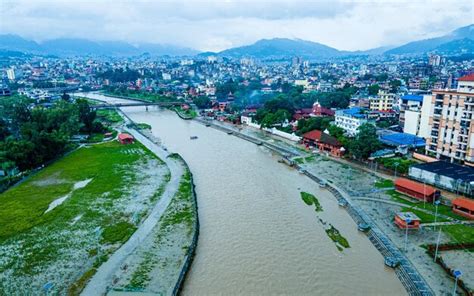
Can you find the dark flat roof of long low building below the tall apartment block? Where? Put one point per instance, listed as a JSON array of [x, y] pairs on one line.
[[451, 170]]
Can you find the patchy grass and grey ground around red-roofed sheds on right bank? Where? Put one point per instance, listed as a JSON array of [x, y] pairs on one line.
[[379, 203]]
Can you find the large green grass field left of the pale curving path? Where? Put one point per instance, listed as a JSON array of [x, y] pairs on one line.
[[61, 245]]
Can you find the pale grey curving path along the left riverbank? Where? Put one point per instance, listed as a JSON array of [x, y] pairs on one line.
[[103, 278]]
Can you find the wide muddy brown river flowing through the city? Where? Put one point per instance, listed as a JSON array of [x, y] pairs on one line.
[[257, 236]]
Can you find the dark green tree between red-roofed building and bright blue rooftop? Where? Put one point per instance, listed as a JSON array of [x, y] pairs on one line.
[[365, 143]]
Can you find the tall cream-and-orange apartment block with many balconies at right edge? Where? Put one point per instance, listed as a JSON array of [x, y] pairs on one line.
[[451, 123]]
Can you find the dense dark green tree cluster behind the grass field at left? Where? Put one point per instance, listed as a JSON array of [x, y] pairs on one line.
[[30, 137]]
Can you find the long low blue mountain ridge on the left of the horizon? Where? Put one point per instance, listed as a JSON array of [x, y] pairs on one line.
[[84, 47]]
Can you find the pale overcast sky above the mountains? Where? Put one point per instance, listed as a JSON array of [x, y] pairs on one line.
[[217, 25]]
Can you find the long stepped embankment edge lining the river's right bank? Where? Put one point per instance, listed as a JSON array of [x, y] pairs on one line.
[[411, 279]]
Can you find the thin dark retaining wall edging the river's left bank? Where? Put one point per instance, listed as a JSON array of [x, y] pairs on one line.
[[192, 248]]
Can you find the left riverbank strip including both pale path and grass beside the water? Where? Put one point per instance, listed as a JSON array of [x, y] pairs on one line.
[[157, 256]]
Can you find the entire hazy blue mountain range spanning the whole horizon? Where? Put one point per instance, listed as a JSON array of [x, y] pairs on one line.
[[459, 41]]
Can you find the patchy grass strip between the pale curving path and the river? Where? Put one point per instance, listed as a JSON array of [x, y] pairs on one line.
[[160, 263]]
